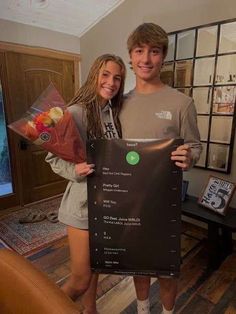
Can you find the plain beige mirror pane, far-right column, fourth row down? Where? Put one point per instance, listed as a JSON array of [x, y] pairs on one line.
[[221, 129]]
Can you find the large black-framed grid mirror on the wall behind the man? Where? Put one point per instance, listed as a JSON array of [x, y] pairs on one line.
[[203, 66]]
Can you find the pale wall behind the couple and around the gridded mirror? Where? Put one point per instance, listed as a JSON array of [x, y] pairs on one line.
[[110, 35]]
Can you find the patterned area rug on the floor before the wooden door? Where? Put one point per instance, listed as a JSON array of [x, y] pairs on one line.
[[29, 237]]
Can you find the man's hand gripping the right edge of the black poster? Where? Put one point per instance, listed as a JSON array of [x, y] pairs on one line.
[[182, 157]]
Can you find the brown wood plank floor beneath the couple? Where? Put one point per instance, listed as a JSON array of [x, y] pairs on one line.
[[200, 290]]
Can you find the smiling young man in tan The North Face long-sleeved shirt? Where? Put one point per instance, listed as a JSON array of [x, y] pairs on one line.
[[154, 110]]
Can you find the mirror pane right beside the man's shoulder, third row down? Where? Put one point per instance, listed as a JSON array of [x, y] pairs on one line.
[[202, 99]]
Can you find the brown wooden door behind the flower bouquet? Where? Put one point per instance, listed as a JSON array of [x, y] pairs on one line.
[[28, 76]]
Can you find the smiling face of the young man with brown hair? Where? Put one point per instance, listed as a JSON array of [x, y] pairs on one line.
[[147, 61]]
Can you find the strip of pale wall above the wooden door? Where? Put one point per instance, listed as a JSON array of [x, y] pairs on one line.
[[39, 37]]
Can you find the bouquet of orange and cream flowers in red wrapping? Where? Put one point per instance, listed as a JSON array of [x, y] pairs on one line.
[[49, 124]]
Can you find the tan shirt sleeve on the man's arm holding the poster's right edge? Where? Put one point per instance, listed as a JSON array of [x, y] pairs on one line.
[[190, 132]]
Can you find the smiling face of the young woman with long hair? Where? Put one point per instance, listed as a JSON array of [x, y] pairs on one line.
[[109, 80]]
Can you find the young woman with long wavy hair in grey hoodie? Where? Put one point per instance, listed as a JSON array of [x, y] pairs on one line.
[[95, 109]]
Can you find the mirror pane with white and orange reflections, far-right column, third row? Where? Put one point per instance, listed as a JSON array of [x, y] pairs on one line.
[[224, 99]]
